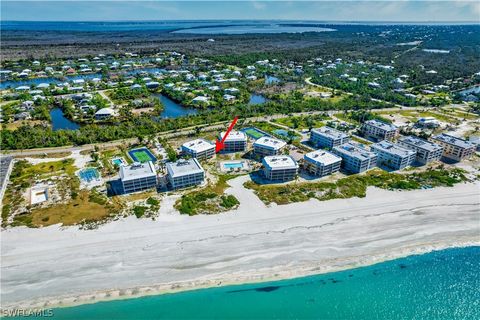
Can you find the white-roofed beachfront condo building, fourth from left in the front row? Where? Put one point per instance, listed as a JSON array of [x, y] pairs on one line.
[[321, 163]]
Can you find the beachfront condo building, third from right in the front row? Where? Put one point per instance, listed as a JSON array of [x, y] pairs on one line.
[[392, 155]]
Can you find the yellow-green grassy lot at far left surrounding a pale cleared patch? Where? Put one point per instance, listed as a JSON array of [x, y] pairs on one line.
[[77, 207]]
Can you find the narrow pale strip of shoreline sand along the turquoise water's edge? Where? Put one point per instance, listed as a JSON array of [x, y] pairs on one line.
[[173, 288]]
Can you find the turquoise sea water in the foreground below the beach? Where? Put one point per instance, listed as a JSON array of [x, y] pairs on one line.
[[438, 285]]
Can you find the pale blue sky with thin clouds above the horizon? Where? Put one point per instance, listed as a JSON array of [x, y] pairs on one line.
[[112, 10]]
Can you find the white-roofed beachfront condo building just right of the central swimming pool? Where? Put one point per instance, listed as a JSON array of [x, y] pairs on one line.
[[279, 168]]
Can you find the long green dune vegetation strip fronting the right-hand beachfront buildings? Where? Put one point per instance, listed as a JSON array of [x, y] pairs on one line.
[[356, 185]]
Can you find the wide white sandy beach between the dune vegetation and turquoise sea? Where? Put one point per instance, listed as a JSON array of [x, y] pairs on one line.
[[57, 266]]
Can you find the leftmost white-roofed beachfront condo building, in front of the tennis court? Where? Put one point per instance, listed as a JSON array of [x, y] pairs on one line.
[[138, 177]]
